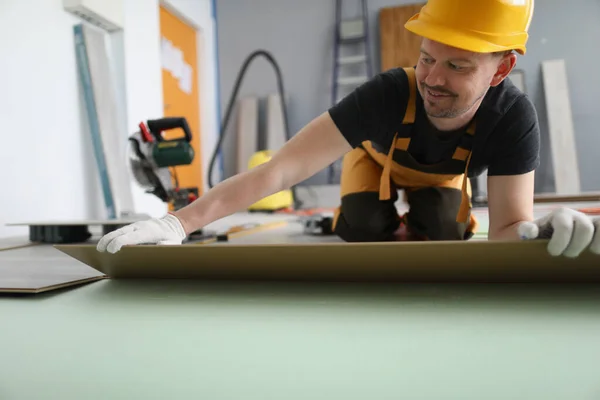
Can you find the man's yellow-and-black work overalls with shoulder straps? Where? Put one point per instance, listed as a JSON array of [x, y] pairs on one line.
[[438, 195]]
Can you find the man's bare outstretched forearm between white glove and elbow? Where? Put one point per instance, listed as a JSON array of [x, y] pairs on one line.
[[230, 196]]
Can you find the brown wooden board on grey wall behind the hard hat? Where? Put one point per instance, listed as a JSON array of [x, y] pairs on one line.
[[399, 47]]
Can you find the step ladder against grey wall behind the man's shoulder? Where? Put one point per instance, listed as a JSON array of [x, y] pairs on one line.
[[350, 33]]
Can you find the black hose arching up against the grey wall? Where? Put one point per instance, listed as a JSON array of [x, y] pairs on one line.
[[232, 100]]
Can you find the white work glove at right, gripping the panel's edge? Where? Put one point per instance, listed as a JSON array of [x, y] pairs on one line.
[[570, 232]]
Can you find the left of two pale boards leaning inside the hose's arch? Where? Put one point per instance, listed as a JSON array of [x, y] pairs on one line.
[[247, 131]]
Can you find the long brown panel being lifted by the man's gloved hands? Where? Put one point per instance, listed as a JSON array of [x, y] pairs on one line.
[[471, 261]]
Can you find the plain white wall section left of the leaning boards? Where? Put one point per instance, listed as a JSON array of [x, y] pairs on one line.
[[46, 170]]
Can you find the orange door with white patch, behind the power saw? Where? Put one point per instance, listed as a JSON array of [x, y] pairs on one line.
[[180, 89]]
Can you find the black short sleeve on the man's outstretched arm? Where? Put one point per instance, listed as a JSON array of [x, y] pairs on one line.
[[374, 110]]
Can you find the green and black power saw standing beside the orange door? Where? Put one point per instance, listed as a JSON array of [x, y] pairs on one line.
[[152, 158]]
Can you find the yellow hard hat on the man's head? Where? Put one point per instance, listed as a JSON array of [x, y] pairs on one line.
[[482, 26]]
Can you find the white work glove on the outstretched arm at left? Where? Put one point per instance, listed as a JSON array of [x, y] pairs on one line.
[[166, 230]]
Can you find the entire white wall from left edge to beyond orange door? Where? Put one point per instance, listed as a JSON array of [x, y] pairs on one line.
[[47, 169]]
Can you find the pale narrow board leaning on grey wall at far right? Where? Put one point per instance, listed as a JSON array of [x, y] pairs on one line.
[[560, 127]]
